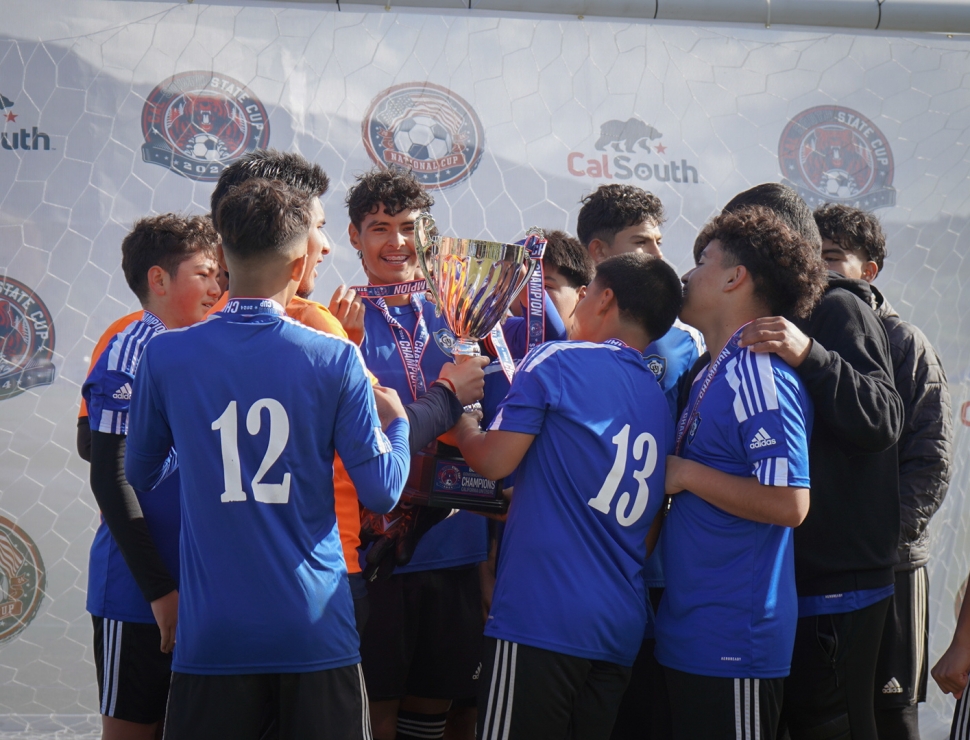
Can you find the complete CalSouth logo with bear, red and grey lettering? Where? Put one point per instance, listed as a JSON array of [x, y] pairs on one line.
[[631, 149]]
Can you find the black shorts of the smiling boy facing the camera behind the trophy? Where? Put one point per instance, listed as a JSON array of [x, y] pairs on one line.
[[424, 635]]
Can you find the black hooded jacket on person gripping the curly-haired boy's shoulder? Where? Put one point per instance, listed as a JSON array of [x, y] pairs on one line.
[[849, 539]]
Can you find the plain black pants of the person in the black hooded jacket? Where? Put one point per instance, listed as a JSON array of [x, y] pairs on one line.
[[828, 695]]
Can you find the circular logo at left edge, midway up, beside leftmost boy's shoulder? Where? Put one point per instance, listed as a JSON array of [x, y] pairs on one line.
[[26, 339]]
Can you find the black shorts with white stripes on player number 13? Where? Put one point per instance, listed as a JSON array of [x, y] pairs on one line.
[[529, 693]]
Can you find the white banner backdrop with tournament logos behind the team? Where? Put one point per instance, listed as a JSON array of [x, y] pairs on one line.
[[113, 110]]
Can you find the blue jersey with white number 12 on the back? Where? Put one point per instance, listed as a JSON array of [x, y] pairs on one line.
[[256, 404]]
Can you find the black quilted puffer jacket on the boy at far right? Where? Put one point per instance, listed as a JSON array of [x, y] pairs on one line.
[[926, 445]]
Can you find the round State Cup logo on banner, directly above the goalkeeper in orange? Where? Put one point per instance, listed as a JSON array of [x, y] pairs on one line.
[[197, 123]]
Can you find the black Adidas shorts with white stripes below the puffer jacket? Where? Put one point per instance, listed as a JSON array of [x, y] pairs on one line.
[[902, 668]]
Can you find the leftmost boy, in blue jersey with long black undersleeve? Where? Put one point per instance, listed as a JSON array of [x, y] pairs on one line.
[[169, 263]]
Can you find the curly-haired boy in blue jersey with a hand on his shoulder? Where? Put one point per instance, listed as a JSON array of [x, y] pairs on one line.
[[726, 625]]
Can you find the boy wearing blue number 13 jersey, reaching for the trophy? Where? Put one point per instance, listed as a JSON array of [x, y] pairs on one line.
[[586, 424]]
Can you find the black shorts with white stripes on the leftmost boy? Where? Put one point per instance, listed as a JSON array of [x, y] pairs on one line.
[[133, 674]]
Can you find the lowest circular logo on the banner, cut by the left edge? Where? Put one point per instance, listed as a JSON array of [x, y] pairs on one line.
[[22, 579]]
